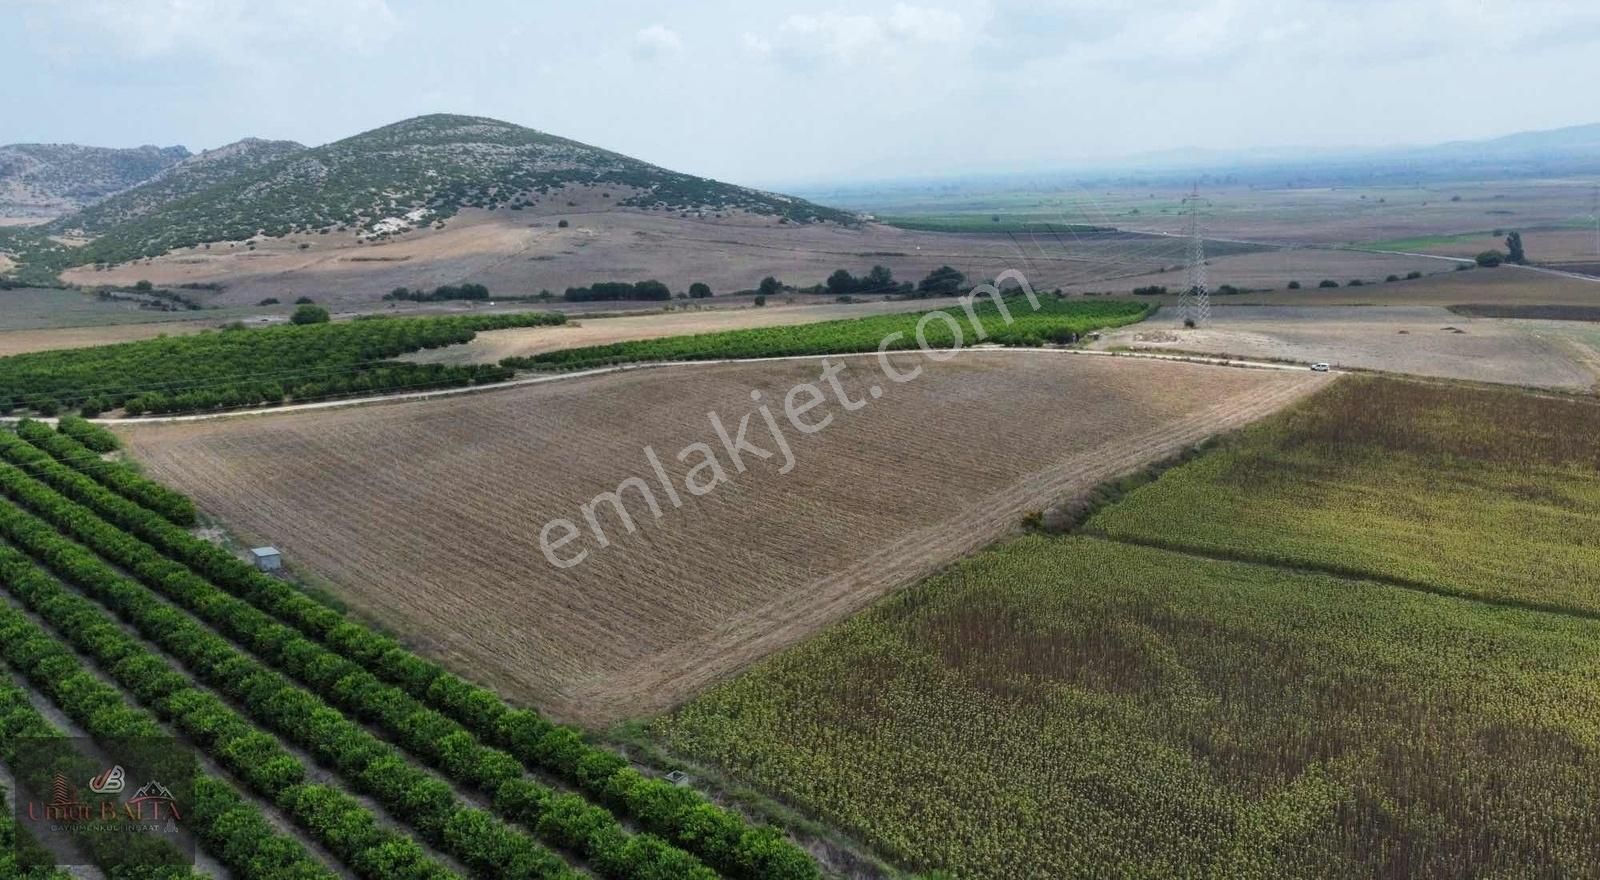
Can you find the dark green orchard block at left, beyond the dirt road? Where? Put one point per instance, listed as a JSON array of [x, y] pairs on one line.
[[239, 367]]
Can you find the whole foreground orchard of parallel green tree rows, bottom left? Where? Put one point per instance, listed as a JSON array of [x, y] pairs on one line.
[[134, 626]]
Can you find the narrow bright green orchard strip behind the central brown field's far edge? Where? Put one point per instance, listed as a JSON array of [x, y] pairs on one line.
[[1057, 321]]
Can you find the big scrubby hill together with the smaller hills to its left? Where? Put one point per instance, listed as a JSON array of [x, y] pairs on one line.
[[382, 183]]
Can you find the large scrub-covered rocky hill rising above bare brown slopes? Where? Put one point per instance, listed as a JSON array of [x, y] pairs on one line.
[[414, 174]]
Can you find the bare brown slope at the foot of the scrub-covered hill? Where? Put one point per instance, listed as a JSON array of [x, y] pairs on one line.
[[527, 252]]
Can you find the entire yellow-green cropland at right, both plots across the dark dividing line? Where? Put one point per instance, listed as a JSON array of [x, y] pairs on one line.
[[1378, 658]]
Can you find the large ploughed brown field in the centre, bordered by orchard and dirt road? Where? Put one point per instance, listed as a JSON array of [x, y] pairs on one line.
[[426, 516]]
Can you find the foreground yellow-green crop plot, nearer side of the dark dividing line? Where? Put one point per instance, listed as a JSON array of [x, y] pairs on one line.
[[1081, 708]]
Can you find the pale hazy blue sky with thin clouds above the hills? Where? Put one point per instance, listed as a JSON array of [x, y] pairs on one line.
[[807, 90]]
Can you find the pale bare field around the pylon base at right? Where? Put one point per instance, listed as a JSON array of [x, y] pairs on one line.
[[1418, 340]]
